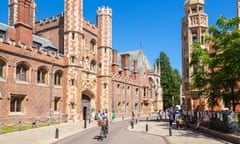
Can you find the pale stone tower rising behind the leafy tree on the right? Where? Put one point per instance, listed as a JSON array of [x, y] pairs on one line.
[[194, 27]]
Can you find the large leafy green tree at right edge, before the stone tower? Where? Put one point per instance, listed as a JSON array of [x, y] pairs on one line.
[[222, 63]]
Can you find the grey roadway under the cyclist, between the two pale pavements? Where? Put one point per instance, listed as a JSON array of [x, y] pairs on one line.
[[118, 134]]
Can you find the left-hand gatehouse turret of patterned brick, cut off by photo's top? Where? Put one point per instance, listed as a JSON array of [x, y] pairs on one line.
[[73, 44]]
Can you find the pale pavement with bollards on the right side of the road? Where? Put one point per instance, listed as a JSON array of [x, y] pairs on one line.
[[179, 136]]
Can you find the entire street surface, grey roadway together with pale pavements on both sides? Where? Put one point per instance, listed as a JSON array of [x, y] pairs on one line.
[[120, 133]]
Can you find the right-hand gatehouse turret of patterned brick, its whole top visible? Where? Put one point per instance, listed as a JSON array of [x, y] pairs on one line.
[[104, 19]]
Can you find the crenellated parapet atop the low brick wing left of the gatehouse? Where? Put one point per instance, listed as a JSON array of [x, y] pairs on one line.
[[22, 47]]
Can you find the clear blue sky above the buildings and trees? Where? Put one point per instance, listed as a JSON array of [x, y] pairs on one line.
[[150, 25]]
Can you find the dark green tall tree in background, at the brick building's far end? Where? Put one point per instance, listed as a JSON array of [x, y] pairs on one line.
[[170, 81]]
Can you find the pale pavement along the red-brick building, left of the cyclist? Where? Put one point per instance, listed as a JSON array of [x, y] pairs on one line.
[[44, 135]]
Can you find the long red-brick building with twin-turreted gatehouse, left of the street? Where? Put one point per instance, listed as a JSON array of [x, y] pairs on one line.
[[65, 68]]
